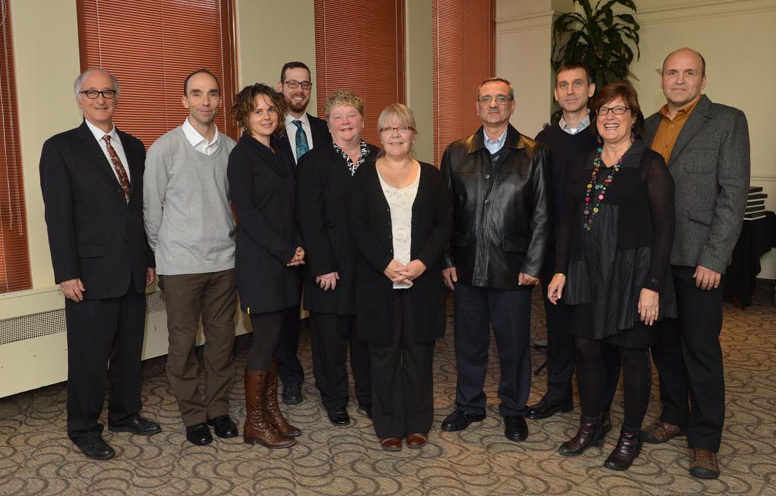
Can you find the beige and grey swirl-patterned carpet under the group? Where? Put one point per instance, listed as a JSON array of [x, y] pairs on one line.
[[36, 458]]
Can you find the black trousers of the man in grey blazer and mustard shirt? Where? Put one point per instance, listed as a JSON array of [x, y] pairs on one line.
[[688, 358]]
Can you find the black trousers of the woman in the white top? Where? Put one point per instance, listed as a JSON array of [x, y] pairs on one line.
[[402, 377]]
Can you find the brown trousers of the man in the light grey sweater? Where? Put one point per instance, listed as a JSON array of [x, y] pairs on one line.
[[213, 297]]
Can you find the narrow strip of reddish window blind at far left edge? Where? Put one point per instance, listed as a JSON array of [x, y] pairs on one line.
[[14, 255]]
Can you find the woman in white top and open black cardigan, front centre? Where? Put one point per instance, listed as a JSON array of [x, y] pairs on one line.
[[401, 220]]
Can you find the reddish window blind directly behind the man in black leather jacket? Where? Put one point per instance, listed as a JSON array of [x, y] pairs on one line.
[[464, 55]]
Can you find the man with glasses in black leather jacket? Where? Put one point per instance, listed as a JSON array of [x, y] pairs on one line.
[[499, 188]]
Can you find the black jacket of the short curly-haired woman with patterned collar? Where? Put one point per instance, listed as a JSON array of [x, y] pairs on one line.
[[323, 185]]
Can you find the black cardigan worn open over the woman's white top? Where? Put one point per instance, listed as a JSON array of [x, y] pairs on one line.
[[370, 222]]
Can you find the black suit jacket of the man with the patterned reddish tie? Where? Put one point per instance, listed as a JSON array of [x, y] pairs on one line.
[[94, 234]]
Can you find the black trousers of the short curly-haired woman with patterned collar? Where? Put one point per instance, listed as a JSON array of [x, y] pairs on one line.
[[330, 336]]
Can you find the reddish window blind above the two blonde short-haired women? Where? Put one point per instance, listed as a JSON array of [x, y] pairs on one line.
[[359, 46]]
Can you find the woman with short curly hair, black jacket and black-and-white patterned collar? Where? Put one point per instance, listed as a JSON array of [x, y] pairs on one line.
[[325, 176]]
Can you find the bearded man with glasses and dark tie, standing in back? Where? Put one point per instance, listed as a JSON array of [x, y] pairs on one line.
[[303, 132]]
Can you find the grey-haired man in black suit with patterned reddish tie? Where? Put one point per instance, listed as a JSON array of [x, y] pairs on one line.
[[92, 183]]
